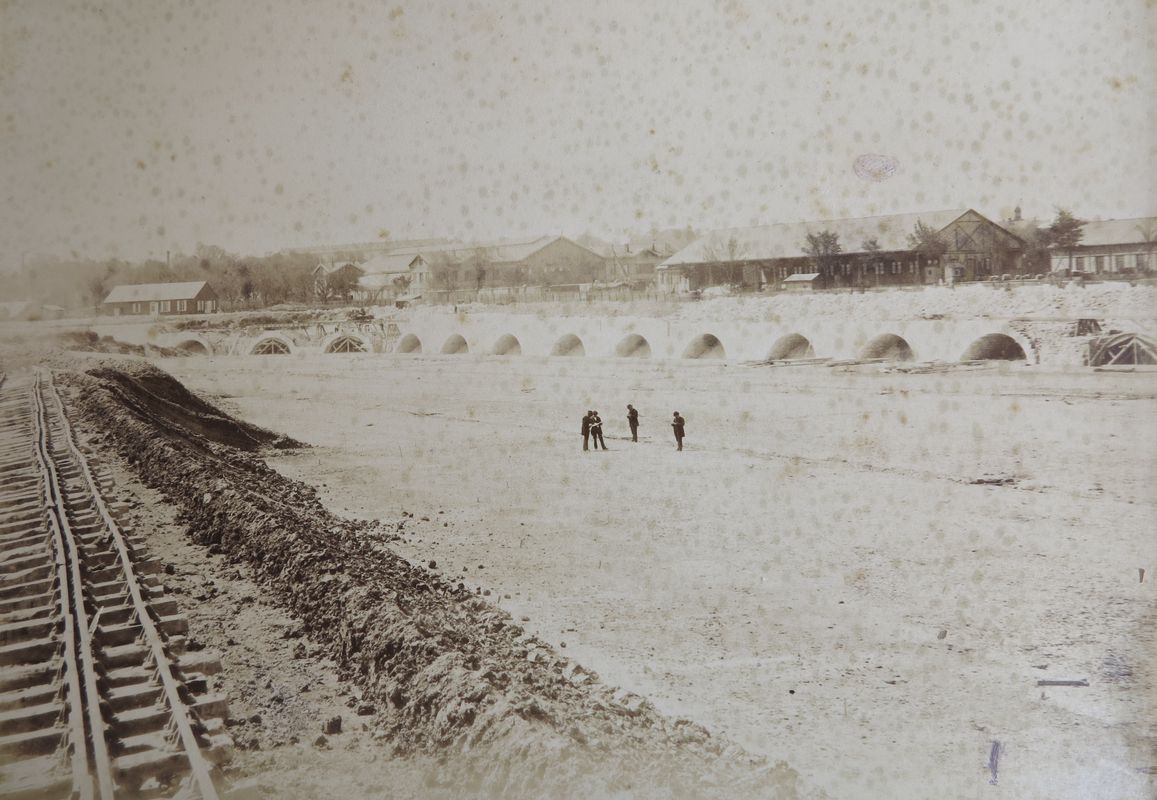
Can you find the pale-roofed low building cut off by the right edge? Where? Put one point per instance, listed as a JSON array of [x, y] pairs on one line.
[[1123, 247]]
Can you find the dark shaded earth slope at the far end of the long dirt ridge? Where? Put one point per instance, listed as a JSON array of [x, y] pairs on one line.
[[157, 398]]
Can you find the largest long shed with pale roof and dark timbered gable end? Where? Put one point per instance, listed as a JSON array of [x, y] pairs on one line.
[[873, 252]]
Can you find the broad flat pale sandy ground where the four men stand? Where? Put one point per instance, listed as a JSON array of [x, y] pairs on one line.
[[816, 575]]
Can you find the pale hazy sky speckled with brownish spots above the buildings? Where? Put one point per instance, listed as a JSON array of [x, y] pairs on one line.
[[137, 128]]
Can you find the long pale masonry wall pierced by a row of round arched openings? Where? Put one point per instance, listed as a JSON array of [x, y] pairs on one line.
[[527, 335]]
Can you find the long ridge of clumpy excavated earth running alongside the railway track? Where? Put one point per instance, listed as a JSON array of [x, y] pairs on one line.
[[451, 674]]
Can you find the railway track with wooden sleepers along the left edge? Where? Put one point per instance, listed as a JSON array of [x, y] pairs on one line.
[[99, 698]]
